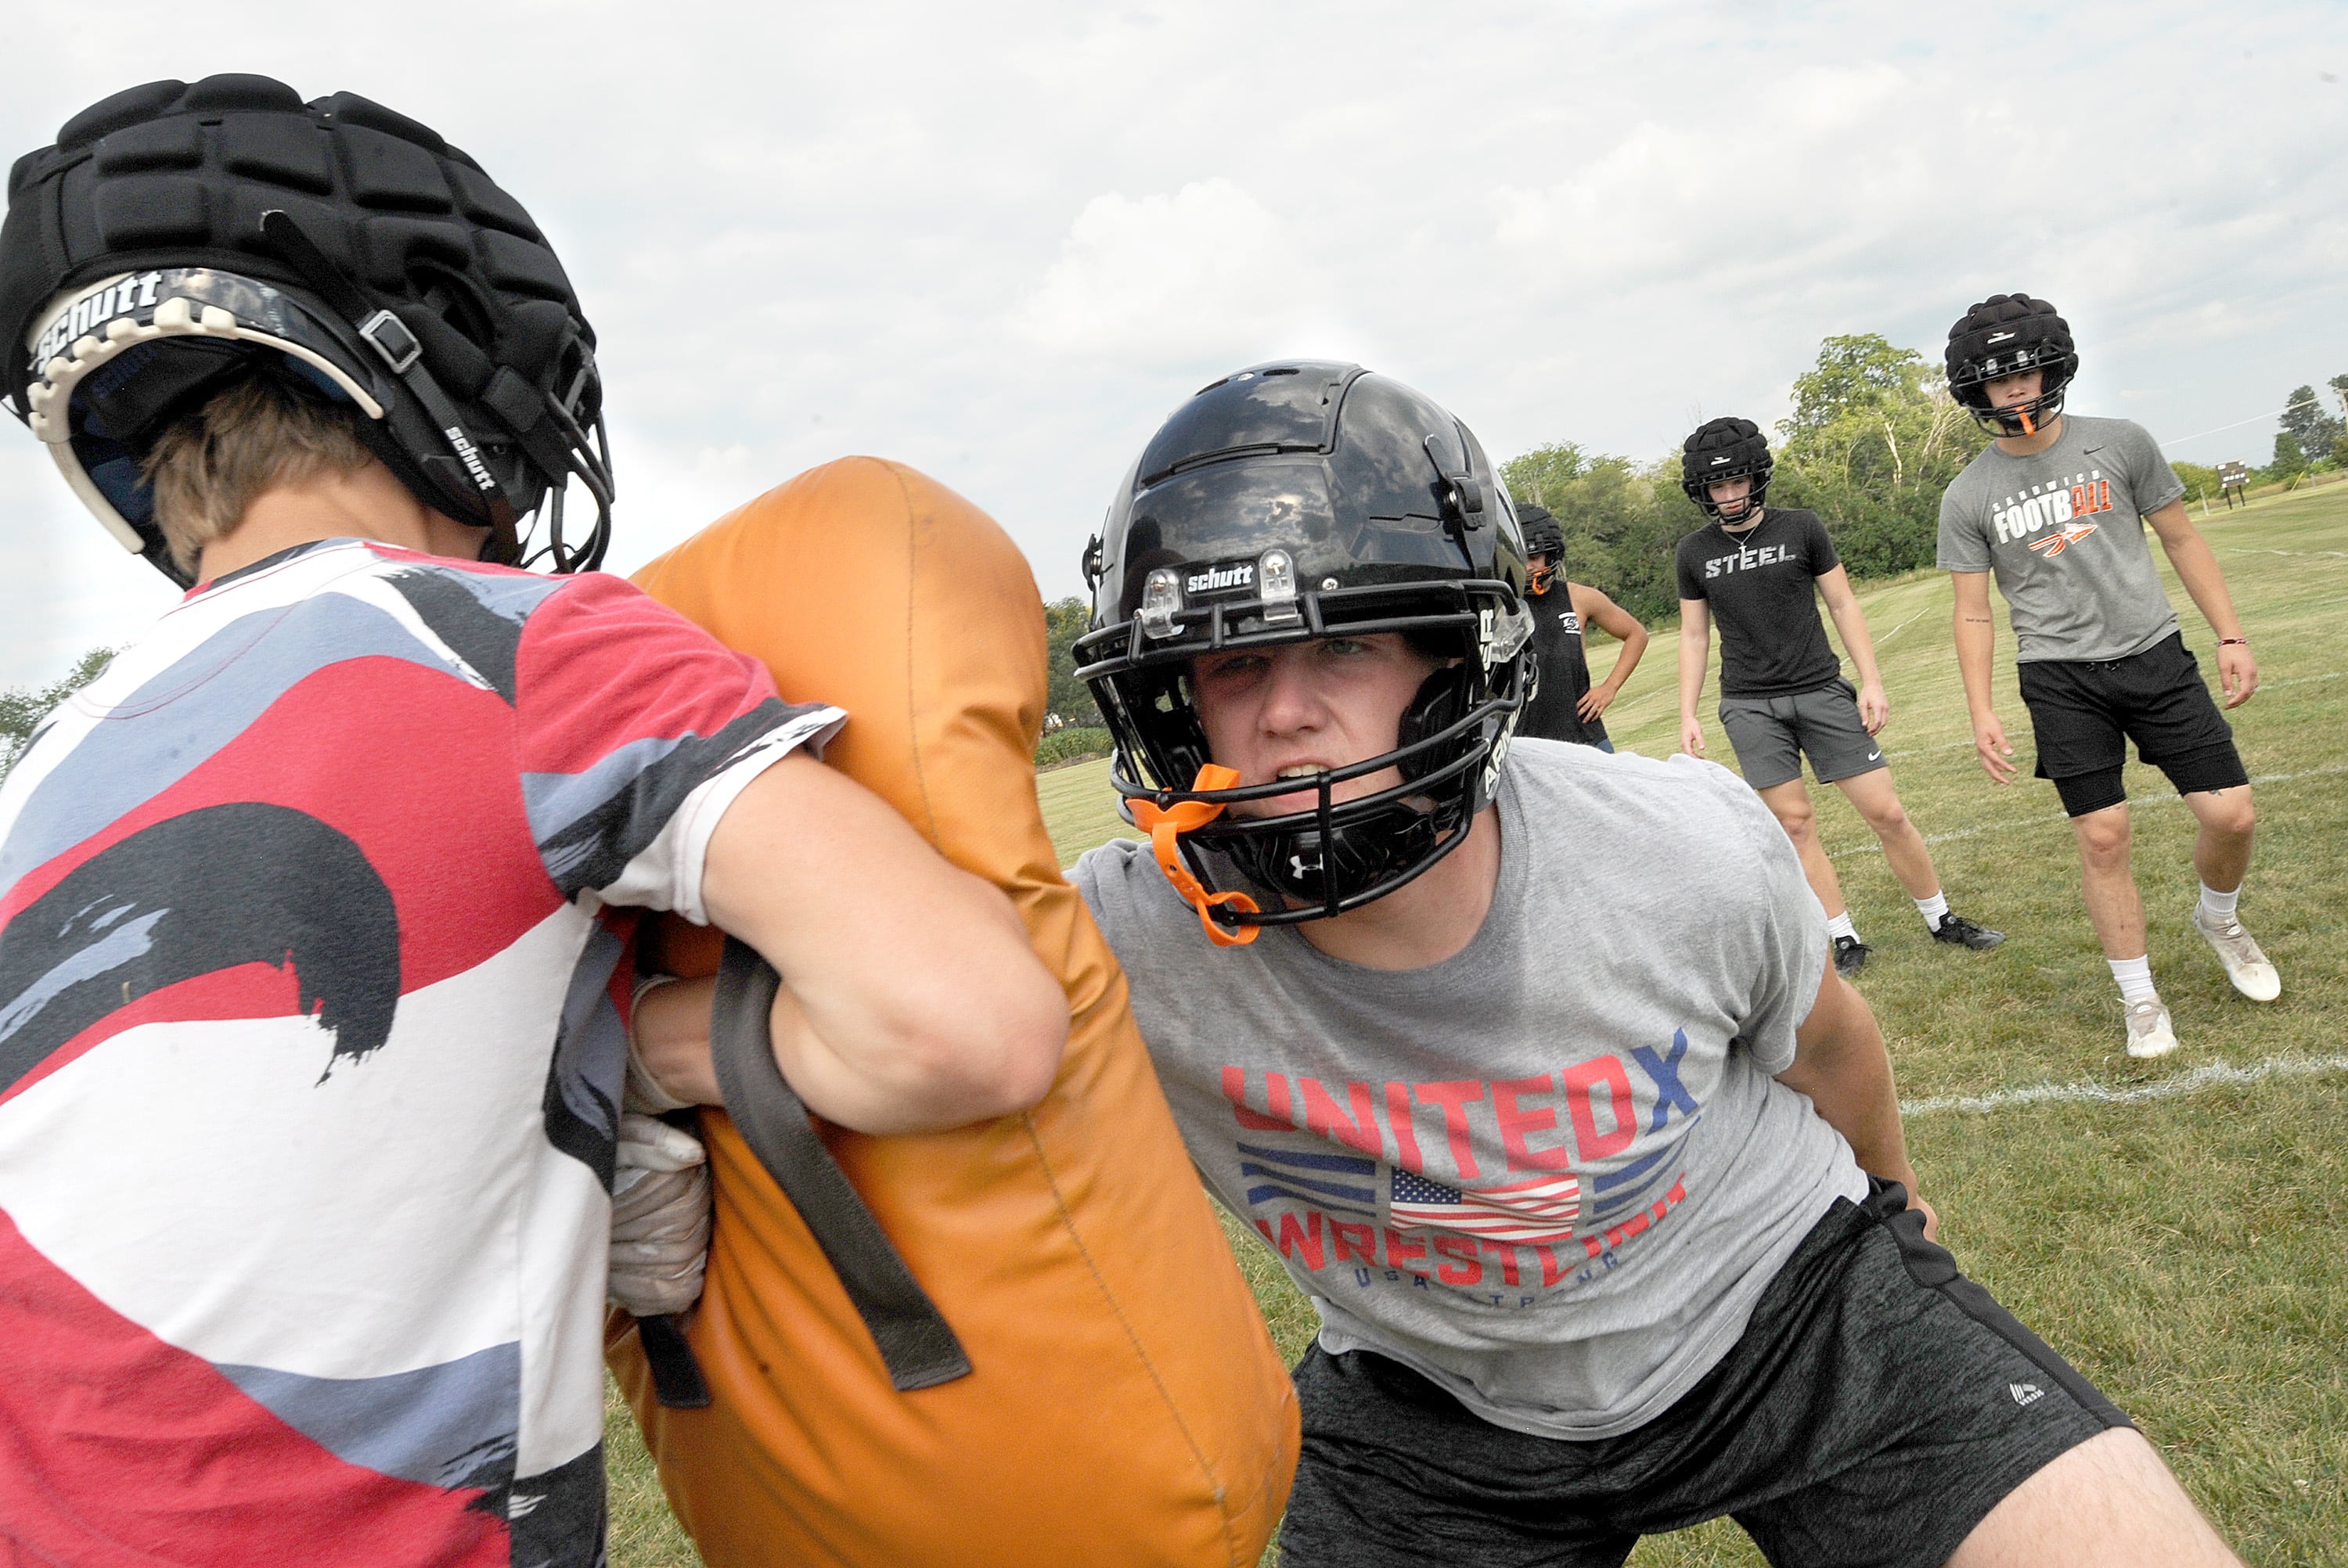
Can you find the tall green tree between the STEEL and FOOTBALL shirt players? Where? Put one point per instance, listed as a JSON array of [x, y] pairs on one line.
[[1870, 447]]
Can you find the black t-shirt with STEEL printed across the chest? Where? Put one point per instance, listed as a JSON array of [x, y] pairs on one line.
[[1760, 586]]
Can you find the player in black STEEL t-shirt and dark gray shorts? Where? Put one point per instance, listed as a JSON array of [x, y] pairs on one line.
[[1783, 691]]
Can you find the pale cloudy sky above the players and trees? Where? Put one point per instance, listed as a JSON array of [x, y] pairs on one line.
[[1001, 243]]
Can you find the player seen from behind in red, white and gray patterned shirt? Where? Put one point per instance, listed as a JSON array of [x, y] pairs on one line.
[[311, 1018]]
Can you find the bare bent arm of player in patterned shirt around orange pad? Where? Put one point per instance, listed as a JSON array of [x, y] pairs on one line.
[[910, 999]]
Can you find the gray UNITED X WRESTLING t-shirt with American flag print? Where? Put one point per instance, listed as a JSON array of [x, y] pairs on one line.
[[1551, 1172]]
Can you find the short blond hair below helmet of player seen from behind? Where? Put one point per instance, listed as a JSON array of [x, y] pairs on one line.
[[215, 464]]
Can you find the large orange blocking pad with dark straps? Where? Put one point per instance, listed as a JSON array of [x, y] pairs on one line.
[[1126, 1403]]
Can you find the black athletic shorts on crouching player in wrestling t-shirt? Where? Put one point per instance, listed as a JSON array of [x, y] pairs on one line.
[[1877, 1407]]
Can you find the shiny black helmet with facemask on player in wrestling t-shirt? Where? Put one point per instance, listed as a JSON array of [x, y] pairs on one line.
[[1286, 503]]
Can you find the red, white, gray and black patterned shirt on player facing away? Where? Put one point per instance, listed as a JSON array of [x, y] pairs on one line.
[[311, 1055]]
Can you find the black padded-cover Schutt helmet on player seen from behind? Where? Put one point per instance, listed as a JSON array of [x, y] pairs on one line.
[[184, 238]]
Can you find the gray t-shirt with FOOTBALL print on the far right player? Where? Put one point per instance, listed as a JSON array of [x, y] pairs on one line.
[[2063, 534]]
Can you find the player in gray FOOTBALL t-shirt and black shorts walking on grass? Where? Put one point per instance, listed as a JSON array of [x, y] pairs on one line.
[[2053, 508]]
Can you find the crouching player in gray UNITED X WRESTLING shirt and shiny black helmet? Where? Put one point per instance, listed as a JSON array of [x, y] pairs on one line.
[[1530, 1062]]
